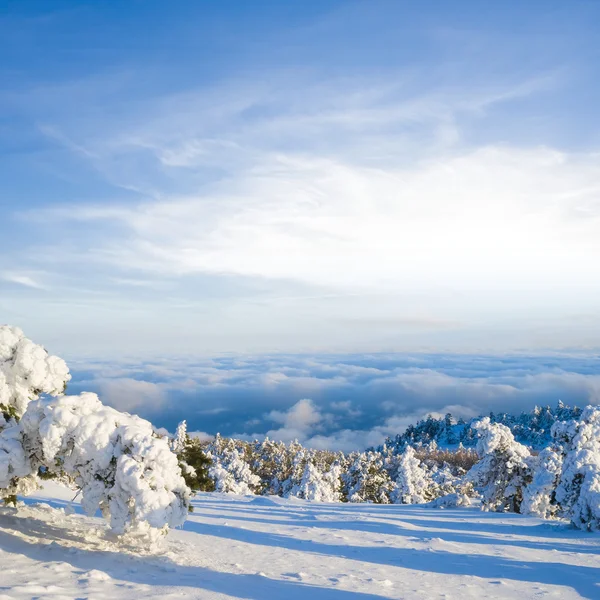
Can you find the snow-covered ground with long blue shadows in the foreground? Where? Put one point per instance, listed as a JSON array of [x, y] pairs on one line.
[[268, 549]]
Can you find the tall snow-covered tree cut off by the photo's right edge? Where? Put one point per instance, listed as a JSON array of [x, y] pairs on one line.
[[578, 490]]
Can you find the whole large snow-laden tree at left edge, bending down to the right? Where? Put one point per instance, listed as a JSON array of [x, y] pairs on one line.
[[116, 460]]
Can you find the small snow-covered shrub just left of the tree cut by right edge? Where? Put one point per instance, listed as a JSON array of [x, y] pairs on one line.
[[539, 495]]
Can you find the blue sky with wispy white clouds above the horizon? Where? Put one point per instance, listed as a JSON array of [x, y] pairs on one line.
[[199, 178]]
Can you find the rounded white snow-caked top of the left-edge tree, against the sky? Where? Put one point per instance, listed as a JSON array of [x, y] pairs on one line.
[[26, 371]]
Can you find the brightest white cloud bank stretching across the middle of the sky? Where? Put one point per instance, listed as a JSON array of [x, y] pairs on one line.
[[499, 216]]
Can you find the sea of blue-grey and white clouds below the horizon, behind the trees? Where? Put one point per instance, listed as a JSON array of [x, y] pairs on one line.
[[334, 401]]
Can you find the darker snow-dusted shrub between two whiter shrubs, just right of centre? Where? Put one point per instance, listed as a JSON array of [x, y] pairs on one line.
[[366, 480]]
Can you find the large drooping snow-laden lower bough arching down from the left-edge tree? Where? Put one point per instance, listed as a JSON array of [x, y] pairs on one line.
[[119, 464]]
